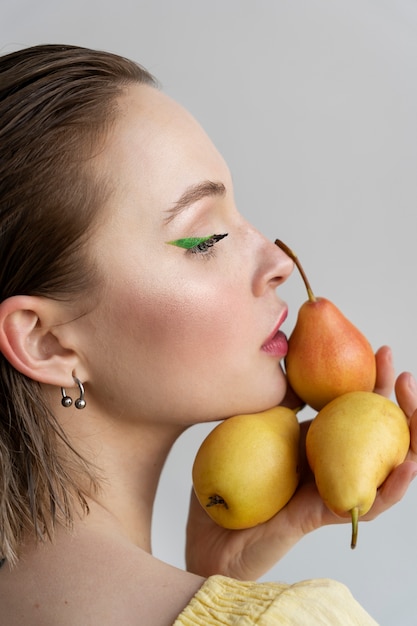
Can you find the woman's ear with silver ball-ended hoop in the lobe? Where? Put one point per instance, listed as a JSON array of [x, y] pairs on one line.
[[30, 339]]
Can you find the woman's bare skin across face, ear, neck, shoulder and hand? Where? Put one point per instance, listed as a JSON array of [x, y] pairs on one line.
[[169, 339]]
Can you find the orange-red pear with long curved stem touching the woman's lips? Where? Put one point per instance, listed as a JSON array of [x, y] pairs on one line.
[[327, 355]]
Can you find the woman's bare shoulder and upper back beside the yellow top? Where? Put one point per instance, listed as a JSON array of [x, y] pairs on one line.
[[90, 579]]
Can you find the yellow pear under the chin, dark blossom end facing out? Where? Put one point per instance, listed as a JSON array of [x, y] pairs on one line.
[[246, 469]]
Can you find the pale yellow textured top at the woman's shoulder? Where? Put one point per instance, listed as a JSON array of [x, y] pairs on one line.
[[223, 601]]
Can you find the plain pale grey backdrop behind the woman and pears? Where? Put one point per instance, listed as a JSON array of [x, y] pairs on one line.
[[313, 103]]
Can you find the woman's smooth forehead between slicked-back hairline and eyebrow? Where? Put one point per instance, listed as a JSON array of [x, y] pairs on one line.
[[155, 151]]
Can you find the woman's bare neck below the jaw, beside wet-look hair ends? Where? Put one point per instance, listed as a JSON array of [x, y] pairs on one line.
[[130, 459]]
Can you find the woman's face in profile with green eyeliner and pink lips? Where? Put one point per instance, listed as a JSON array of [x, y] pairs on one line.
[[179, 335]]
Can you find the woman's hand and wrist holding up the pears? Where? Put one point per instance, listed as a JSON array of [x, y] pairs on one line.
[[248, 554]]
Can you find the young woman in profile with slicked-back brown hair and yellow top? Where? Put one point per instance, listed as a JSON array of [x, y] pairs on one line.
[[116, 336]]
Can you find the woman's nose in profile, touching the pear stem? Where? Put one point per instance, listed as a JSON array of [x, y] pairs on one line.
[[273, 269]]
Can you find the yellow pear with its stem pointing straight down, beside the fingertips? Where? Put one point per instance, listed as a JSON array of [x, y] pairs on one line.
[[352, 445]]
